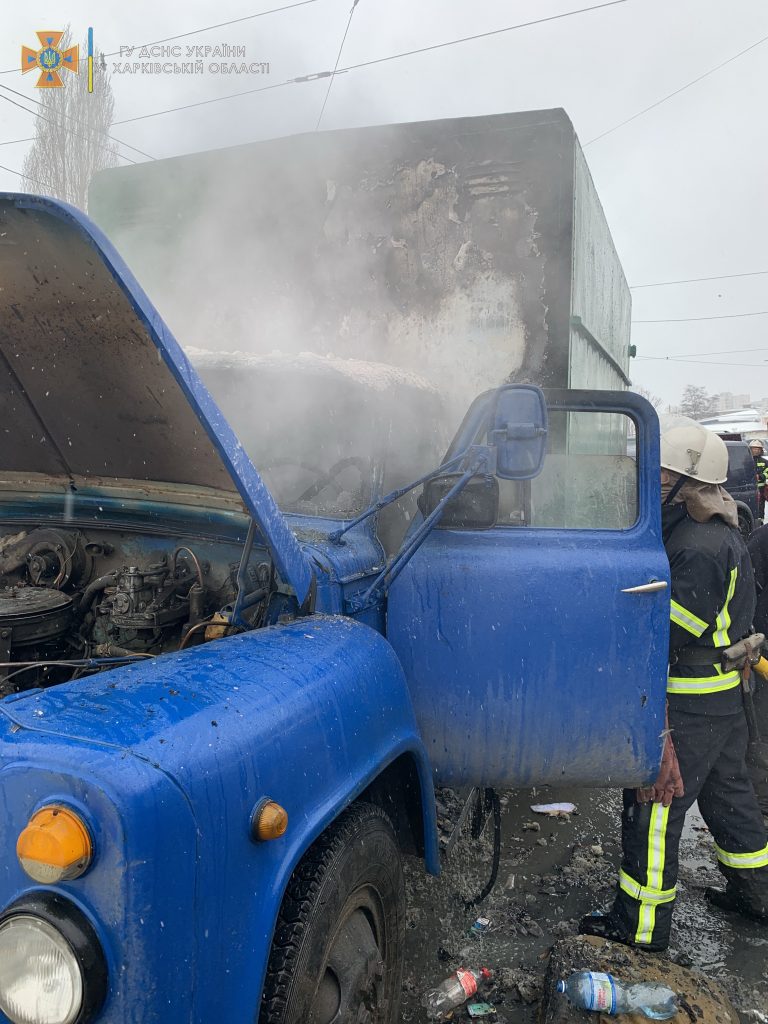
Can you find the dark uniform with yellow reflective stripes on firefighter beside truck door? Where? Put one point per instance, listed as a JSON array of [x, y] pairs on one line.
[[713, 604]]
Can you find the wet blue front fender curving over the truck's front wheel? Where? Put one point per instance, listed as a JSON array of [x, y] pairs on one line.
[[308, 714]]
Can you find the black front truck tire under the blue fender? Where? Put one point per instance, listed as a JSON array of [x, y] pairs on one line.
[[338, 947]]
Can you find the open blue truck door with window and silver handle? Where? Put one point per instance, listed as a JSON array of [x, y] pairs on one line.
[[536, 651]]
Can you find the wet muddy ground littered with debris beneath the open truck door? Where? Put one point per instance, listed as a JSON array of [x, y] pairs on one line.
[[548, 879]]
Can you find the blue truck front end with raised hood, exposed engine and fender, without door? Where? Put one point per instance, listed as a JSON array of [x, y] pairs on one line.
[[138, 537]]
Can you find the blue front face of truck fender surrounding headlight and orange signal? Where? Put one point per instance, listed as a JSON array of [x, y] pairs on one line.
[[142, 892]]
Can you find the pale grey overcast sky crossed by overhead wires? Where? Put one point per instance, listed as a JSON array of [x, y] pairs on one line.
[[685, 187]]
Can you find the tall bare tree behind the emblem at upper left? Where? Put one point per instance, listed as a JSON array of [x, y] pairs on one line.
[[71, 136]]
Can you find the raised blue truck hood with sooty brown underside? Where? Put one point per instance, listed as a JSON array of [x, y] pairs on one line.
[[95, 388]]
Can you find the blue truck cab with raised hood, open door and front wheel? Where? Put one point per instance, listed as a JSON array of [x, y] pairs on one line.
[[223, 719]]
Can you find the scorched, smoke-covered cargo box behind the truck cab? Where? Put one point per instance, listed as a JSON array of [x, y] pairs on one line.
[[447, 247]]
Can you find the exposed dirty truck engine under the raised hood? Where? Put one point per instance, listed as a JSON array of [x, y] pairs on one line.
[[74, 602]]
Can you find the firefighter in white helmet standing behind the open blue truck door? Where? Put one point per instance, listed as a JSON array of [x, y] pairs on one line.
[[713, 604]]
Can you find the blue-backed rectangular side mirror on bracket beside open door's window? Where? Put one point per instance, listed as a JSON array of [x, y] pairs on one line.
[[519, 432]]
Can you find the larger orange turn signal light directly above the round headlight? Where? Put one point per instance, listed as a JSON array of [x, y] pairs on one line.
[[56, 846]]
